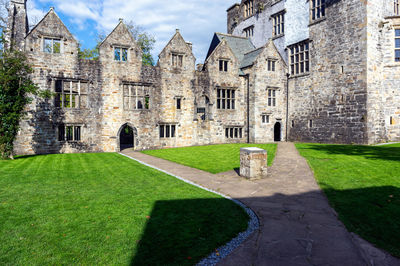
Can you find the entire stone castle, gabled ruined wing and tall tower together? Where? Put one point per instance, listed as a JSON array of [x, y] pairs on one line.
[[308, 70]]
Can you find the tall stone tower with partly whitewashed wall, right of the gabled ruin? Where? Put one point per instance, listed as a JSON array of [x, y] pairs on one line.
[[343, 60]]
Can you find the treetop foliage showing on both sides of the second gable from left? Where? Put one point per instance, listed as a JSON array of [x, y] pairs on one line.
[[143, 39]]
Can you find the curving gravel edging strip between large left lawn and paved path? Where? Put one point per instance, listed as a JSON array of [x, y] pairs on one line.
[[226, 249]]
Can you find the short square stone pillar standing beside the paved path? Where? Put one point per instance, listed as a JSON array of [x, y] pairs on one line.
[[253, 163]]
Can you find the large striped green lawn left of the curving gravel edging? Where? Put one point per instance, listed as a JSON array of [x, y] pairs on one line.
[[106, 209]]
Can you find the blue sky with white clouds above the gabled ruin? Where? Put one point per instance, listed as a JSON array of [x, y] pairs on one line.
[[197, 20]]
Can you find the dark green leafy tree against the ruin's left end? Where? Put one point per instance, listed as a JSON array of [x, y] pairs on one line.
[[16, 91]]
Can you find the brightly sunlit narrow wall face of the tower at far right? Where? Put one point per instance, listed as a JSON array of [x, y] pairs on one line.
[[383, 74]]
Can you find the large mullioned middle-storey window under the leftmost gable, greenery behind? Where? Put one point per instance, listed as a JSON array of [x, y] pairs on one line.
[[79, 93]]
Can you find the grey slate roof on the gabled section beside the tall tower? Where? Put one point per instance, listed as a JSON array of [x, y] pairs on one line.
[[238, 45]]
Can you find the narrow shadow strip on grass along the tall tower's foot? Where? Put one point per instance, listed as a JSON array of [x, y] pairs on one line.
[[368, 152]]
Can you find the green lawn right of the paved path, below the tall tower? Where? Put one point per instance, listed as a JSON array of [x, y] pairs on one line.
[[362, 183]]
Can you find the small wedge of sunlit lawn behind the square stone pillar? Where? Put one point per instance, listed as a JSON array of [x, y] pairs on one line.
[[213, 158]]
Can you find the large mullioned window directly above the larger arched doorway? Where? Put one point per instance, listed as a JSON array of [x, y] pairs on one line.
[[145, 98]]
